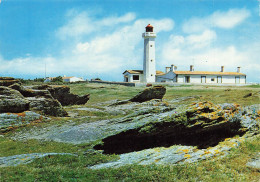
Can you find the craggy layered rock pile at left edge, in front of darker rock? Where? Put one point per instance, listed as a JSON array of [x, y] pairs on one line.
[[17, 99]]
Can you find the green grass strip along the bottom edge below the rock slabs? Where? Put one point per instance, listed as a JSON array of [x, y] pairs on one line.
[[71, 168]]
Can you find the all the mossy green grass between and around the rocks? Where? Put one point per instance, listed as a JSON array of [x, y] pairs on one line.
[[74, 168]]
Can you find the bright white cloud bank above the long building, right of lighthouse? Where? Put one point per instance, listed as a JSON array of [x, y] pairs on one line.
[[200, 51]]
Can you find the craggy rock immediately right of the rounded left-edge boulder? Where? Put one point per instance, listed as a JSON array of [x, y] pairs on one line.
[[47, 106]]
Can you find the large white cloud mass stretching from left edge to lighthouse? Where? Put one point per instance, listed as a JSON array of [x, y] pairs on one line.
[[104, 53]]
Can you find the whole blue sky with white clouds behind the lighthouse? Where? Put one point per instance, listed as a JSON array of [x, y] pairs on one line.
[[103, 38]]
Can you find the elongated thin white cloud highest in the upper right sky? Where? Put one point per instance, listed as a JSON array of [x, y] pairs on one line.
[[219, 19]]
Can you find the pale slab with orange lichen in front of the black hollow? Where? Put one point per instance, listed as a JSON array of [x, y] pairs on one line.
[[173, 155]]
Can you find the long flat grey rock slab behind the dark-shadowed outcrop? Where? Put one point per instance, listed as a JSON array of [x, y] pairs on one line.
[[92, 131]]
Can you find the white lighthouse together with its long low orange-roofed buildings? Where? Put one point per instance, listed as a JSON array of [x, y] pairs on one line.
[[150, 75]]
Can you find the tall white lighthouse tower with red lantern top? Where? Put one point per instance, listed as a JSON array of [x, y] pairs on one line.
[[149, 54]]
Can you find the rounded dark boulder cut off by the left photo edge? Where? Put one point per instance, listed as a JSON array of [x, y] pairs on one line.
[[12, 101]]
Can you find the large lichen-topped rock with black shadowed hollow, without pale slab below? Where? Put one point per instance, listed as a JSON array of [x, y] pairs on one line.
[[202, 124]]
